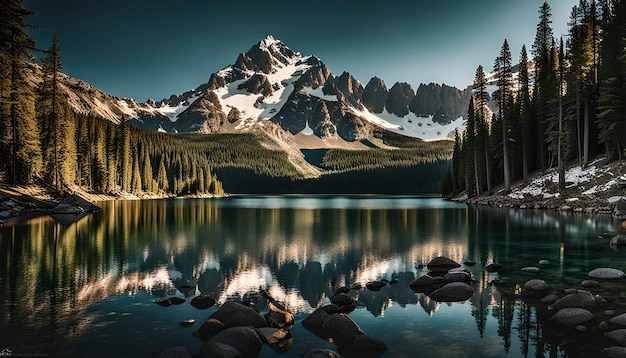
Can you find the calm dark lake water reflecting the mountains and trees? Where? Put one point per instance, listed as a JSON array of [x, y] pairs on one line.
[[87, 288]]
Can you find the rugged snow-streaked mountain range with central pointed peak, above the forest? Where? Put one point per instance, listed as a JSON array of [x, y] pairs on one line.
[[271, 86]]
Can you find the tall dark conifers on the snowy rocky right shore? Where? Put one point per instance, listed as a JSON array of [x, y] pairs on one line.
[[571, 108]]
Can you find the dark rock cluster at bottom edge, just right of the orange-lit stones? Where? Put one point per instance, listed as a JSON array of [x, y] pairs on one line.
[[332, 323]]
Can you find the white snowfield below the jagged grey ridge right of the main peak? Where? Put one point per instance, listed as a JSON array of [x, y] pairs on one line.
[[412, 125]]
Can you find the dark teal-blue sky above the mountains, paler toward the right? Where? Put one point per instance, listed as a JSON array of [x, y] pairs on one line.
[[154, 48]]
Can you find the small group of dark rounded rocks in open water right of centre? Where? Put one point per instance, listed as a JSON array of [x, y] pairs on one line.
[[443, 282]]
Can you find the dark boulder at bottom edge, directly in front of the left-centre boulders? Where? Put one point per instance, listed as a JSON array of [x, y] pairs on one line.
[[233, 342]]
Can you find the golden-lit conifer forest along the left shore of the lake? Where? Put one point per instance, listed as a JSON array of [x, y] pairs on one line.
[[41, 138]]
